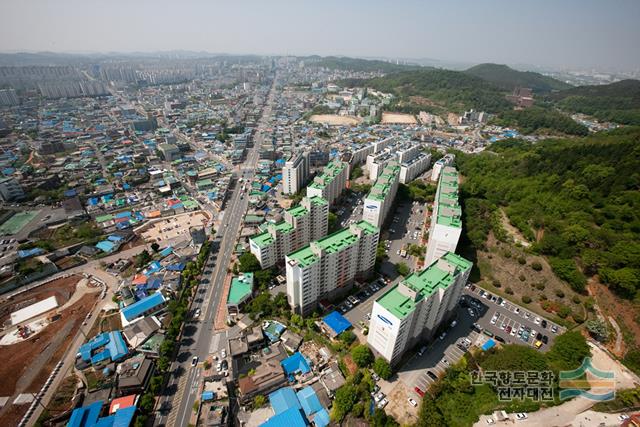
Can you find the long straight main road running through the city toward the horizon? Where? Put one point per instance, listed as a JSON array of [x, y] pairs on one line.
[[199, 336]]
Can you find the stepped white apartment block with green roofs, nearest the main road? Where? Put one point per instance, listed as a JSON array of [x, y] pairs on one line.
[[301, 225]]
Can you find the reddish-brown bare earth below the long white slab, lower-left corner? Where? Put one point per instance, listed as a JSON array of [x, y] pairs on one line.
[[25, 366]]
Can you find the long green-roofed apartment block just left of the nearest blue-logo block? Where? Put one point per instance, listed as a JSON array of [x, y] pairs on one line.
[[327, 267]]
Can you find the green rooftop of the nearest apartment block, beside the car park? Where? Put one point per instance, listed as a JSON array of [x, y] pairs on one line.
[[424, 283]]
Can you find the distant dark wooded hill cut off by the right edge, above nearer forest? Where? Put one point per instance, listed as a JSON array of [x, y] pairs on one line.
[[617, 102]]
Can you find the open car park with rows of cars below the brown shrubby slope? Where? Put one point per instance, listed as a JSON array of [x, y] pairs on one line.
[[508, 322]]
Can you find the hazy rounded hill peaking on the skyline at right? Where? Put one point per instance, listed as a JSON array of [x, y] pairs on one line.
[[508, 78]]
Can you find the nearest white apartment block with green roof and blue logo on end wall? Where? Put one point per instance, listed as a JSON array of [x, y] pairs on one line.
[[413, 310]]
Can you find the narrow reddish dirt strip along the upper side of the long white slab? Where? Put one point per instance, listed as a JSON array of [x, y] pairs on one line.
[[62, 289]]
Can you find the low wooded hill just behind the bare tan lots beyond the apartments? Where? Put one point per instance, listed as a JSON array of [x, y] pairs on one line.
[[439, 90]]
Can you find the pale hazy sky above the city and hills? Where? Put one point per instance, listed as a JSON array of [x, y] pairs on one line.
[[558, 33]]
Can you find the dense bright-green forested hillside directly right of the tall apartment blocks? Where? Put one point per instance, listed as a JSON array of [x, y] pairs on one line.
[[577, 200]]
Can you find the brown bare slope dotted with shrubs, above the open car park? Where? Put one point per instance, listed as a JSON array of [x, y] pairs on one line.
[[502, 272]]
